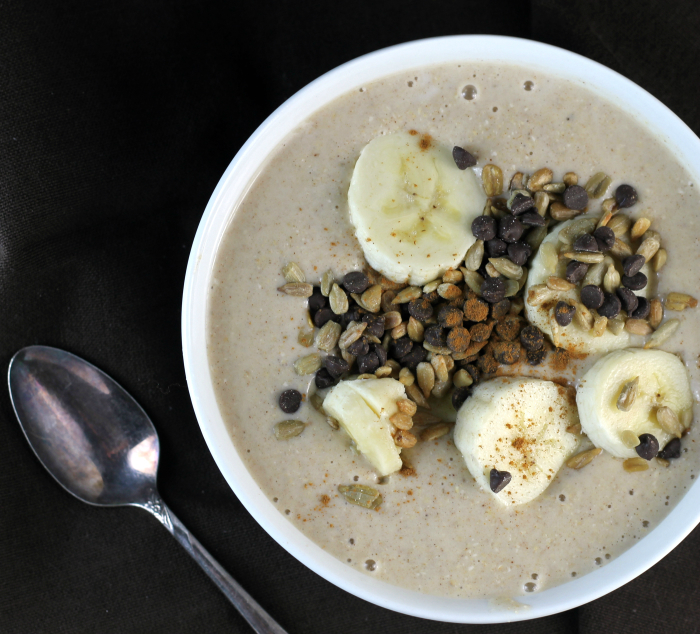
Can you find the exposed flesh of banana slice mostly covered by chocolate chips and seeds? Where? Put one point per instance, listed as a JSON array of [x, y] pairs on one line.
[[573, 338]]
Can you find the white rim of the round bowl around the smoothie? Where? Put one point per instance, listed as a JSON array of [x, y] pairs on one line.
[[234, 185]]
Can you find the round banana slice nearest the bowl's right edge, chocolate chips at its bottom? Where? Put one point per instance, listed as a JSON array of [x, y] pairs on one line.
[[663, 381]]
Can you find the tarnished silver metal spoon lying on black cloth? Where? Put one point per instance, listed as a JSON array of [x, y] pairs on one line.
[[98, 443]]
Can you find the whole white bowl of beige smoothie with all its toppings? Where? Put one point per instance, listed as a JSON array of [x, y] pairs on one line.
[[440, 334]]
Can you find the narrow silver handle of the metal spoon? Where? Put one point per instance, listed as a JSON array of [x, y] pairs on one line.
[[258, 619]]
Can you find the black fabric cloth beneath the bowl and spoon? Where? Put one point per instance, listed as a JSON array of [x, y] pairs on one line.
[[117, 119]]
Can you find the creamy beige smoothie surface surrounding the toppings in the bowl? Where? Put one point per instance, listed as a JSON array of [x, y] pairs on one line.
[[437, 532]]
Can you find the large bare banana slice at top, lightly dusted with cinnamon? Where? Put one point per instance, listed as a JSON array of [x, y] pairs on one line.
[[412, 208]]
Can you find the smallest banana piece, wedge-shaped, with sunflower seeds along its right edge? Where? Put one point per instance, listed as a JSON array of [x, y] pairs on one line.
[[363, 409]]
